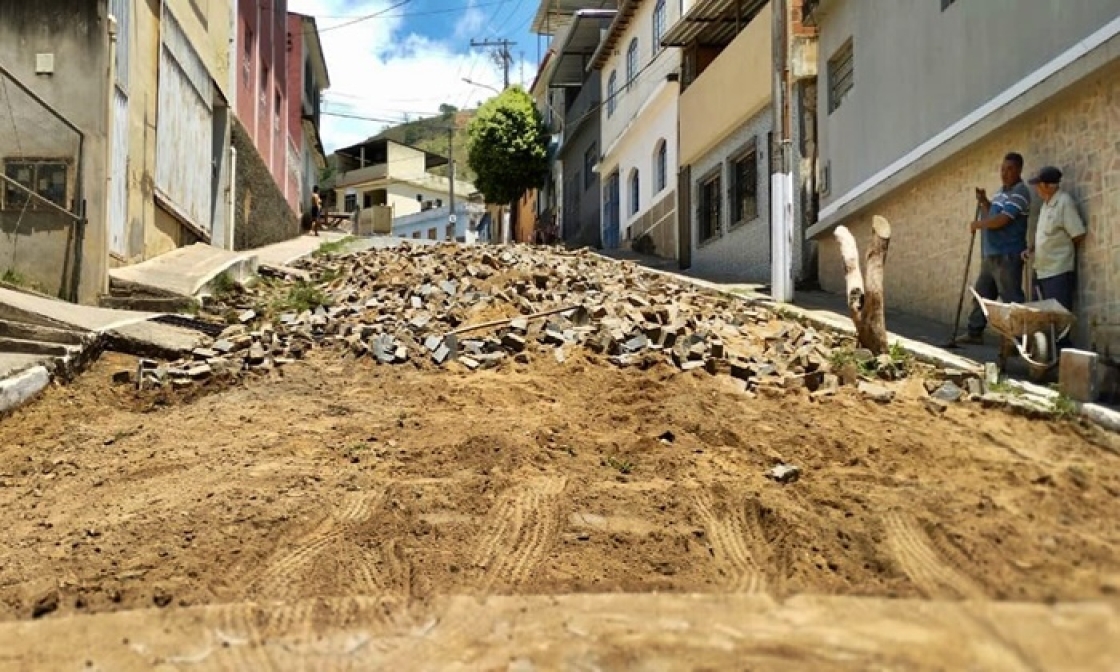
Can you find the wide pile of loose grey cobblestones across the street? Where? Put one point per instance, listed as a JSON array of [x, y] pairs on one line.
[[421, 306]]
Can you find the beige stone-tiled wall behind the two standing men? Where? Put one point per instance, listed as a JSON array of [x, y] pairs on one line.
[[1078, 132]]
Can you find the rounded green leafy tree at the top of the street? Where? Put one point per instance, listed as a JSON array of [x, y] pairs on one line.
[[508, 147]]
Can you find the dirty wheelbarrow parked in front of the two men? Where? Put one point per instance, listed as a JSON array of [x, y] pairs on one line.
[[1033, 330]]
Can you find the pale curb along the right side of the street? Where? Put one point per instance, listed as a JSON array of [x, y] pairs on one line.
[[1094, 413]]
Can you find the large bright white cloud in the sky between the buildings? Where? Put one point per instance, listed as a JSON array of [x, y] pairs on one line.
[[381, 71]]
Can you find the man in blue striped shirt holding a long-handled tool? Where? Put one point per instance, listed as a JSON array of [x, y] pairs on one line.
[[1003, 244]]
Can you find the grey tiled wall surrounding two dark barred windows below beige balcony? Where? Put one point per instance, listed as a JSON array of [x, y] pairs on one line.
[[742, 253]]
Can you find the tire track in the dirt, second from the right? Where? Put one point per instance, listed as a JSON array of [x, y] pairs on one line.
[[733, 537]]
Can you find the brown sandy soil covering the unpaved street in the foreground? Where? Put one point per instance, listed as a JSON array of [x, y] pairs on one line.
[[337, 478]]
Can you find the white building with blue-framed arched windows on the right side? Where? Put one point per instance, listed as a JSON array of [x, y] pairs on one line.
[[639, 127]]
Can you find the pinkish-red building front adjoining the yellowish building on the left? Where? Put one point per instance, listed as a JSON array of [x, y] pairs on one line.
[[263, 89]]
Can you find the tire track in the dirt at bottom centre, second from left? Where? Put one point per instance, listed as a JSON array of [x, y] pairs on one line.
[[521, 526]]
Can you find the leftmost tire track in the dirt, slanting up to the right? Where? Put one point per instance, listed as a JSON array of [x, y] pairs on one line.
[[281, 578]]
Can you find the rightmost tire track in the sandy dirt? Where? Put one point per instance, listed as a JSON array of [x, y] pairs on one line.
[[918, 556]]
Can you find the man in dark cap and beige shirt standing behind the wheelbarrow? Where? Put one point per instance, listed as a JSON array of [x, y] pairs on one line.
[[1059, 232]]
